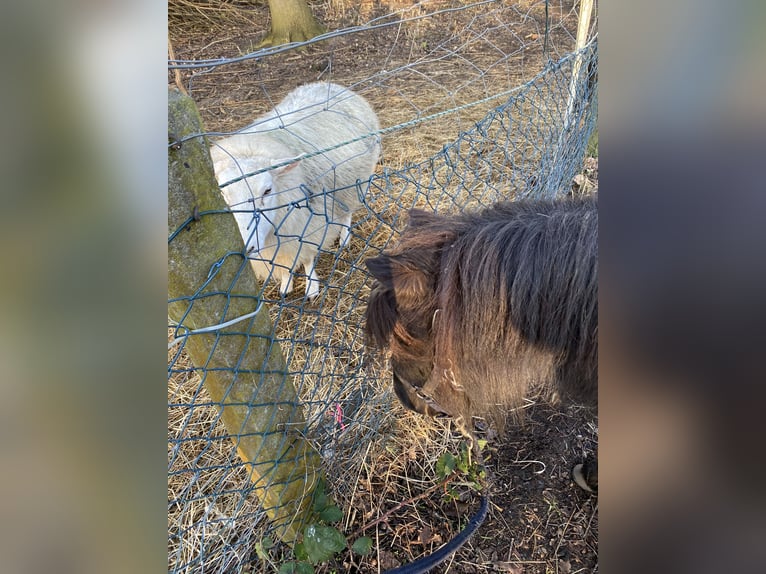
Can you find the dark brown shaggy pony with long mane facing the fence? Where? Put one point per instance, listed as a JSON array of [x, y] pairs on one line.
[[476, 308]]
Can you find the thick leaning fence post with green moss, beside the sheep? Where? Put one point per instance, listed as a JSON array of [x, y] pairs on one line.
[[243, 368]]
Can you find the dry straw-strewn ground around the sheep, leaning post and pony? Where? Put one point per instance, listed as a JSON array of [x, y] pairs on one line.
[[382, 454]]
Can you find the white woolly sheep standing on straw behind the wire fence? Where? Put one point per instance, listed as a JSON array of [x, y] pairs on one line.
[[300, 203]]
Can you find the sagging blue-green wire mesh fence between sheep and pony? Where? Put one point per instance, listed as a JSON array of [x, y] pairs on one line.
[[477, 103]]
